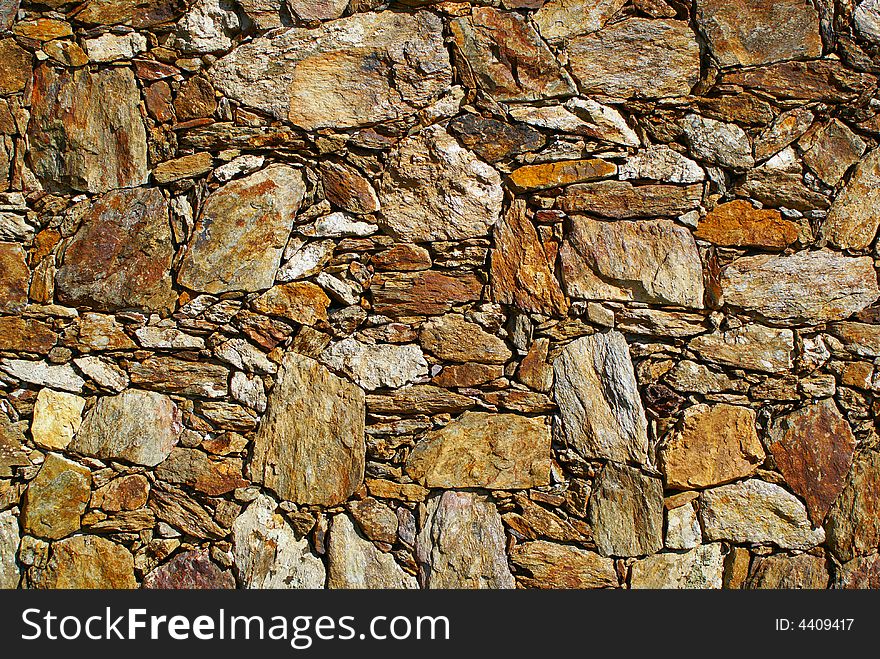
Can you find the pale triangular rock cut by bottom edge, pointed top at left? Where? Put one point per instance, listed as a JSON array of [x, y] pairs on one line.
[[354, 562]]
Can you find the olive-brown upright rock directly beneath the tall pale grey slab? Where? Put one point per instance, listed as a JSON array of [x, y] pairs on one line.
[[626, 512]]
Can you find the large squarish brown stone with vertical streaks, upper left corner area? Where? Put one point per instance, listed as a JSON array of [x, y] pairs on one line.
[[77, 139]]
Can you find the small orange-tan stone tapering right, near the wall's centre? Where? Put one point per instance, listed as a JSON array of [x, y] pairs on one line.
[[452, 338]]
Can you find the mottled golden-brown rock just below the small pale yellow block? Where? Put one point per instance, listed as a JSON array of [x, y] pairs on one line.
[[56, 499]]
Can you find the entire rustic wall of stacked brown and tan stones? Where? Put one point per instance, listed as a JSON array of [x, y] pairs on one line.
[[523, 293]]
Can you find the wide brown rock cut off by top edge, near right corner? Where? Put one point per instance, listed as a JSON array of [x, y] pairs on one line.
[[749, 32]]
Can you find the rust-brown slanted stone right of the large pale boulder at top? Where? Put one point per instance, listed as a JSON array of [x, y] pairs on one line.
[[508, 58]]
